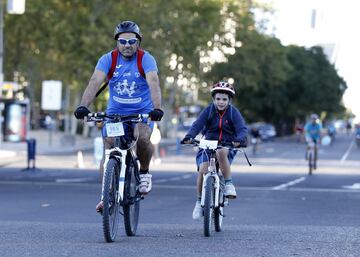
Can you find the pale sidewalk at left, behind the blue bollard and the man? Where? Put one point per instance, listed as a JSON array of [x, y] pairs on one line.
[[56, 150]]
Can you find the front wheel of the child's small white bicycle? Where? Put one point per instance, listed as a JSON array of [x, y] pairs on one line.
[[208, 206]]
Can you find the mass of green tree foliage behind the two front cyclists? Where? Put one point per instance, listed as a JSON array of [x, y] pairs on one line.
[[63, 39]]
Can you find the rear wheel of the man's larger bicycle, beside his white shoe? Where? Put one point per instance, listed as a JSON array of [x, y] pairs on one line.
[[131, 205]]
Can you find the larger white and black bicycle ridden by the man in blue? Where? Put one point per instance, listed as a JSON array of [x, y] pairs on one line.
[[121, 179]]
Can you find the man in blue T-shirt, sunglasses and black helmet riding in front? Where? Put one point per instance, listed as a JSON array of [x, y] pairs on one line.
[[130, 93]]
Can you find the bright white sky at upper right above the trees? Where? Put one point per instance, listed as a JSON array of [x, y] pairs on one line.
[[337, 22]]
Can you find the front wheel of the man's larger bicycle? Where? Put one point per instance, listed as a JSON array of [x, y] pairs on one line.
[[111, 208]]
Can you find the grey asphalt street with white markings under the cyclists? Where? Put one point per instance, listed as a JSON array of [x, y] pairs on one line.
[[280, 210]]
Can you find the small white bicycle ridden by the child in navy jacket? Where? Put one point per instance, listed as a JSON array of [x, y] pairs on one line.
[[213, 199]]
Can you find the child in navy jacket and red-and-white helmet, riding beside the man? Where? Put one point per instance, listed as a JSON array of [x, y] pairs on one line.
[[223, 122]]
